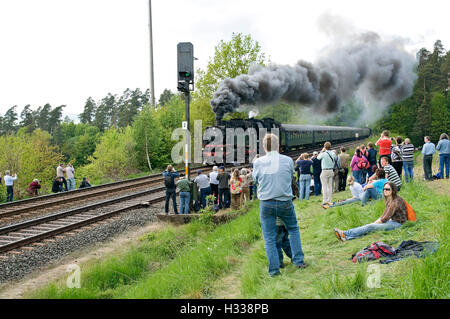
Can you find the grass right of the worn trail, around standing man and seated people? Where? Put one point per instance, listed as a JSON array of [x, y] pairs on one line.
[[333, 275]]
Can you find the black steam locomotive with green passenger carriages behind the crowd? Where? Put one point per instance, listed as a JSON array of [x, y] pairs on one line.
[[292, 136]]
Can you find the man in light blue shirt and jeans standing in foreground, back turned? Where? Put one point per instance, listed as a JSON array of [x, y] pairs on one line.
[[273, 173]]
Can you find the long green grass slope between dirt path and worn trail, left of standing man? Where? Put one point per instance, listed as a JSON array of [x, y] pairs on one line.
[[170, 263]]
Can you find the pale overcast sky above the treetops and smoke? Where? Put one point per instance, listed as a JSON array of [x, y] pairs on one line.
[[62, 52]]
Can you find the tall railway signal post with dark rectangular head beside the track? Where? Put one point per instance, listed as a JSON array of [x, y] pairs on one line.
[[185, 59]]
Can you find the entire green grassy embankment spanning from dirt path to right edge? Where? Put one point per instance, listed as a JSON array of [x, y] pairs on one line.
[[200, 261]]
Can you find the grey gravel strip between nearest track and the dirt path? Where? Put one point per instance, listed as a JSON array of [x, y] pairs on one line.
[[17, 266]]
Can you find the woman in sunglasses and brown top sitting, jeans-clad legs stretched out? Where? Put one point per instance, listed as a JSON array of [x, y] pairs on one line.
[[393, 217]]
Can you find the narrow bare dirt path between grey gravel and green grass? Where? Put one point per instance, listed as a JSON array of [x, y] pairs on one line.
[[58, 270]]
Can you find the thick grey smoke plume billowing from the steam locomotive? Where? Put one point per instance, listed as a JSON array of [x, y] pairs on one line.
[[357, 64]]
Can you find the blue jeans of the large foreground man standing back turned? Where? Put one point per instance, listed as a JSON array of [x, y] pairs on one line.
[[269, 210]]
